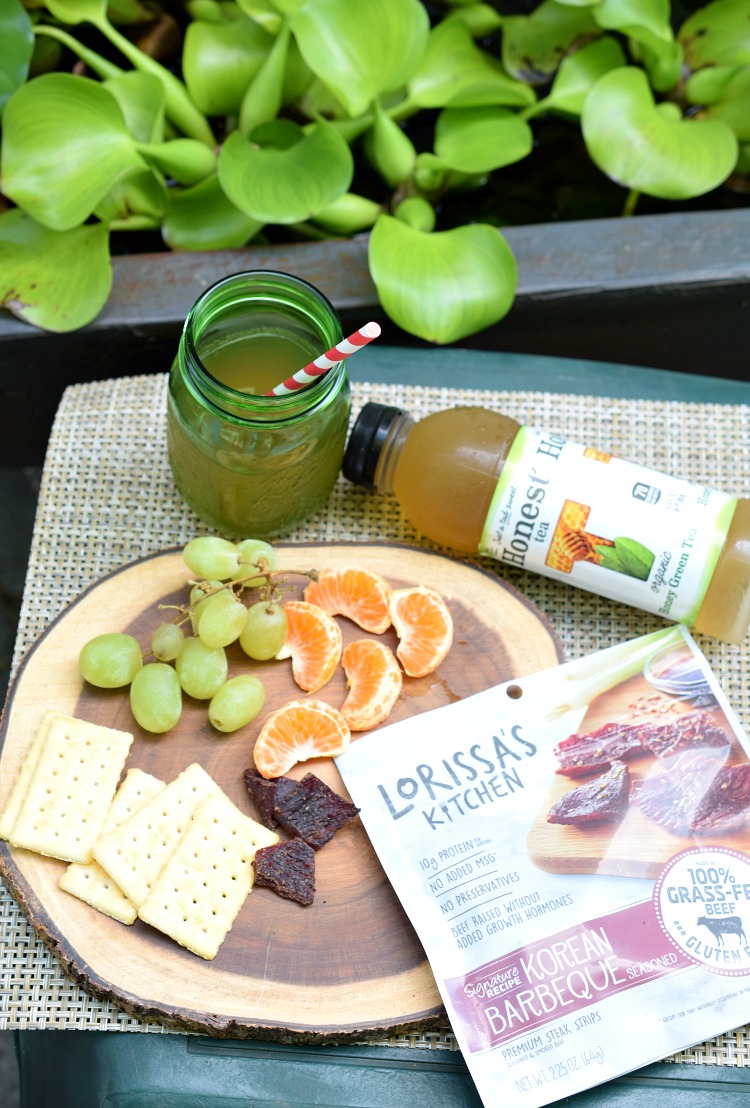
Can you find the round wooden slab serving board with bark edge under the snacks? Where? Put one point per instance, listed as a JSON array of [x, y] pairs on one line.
[[350, 963]]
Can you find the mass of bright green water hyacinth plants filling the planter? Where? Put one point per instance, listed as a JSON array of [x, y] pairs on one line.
[[280, 120]]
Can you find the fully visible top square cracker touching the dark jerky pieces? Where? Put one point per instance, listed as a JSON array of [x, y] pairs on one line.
[[203, 887]]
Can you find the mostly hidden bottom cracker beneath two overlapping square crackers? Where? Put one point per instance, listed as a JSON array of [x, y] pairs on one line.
[[90, 883]]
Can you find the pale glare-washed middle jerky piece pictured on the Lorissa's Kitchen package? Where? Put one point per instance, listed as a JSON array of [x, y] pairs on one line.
[[674, 798]]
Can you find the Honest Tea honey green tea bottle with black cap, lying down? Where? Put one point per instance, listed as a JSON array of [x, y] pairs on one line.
[[478, 481]]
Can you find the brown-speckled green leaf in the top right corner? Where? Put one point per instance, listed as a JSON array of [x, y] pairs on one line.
[[717, 35]]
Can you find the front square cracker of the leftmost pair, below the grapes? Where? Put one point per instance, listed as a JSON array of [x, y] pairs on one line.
[[70, 788]]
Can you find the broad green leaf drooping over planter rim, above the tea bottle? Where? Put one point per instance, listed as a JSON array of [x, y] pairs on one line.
[[446, 285]]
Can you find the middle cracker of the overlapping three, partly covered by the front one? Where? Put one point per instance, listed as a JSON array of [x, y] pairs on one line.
[[136, 853]]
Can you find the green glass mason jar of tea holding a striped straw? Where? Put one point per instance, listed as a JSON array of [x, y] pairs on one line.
[[251, 465]]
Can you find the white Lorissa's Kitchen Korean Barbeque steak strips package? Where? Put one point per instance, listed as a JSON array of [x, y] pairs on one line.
[[573, 850]]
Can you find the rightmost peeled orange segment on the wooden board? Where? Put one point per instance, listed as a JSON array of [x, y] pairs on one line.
[[425, 629]]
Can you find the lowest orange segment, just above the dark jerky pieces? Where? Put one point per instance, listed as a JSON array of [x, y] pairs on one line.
[[301, 731]]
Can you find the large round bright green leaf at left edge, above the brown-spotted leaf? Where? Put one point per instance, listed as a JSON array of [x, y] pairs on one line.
[[65, 146]]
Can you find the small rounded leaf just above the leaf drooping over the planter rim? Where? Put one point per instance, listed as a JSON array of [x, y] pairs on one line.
[[478, 140]]
